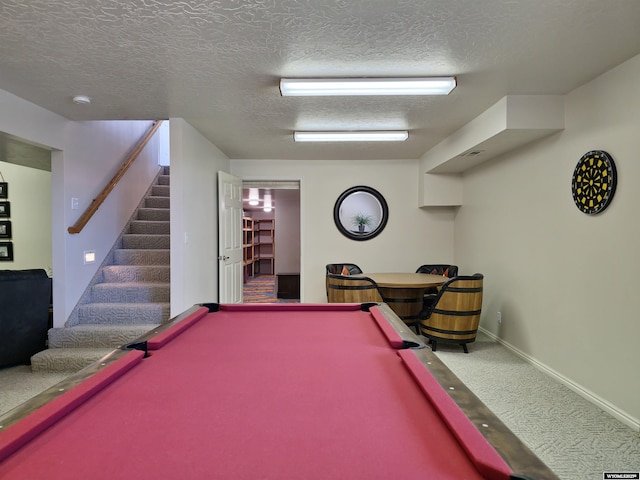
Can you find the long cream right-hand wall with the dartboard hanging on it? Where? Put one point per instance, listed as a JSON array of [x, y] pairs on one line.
[[565, 282]]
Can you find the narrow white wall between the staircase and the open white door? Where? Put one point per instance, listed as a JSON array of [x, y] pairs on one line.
[[194, 216]]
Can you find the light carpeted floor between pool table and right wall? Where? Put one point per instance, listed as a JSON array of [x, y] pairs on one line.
[[574, 437]]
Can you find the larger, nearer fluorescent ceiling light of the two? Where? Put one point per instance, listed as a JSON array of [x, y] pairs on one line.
[[366, 86]]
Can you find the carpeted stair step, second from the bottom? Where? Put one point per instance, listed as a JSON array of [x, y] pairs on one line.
[[96, 336]]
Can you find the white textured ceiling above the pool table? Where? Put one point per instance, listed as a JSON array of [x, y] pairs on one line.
[[216, 63]]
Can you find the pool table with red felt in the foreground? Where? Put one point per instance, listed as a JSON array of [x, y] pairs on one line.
[[269, 391]]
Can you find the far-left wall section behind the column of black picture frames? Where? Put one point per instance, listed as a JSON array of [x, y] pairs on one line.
[[30, 205]]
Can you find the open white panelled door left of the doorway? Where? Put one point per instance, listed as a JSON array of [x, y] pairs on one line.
[[229, 238]]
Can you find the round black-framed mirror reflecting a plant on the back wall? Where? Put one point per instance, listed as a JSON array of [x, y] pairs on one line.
[[360, 213]]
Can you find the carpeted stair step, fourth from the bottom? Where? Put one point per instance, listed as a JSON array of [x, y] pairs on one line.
[[131, 292]]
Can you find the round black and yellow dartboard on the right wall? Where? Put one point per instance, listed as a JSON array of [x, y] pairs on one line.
[[594, 182]]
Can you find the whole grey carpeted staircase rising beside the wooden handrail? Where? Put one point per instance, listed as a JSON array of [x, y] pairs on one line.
[[129, 295]]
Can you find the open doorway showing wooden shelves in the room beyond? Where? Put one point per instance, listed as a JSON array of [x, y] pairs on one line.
[[271, 241]]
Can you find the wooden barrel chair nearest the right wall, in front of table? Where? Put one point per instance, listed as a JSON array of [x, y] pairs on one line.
[[455, 313]]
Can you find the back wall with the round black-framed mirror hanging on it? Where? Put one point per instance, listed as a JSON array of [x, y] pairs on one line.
[[412, 236]]
